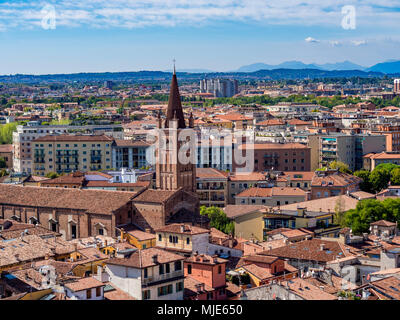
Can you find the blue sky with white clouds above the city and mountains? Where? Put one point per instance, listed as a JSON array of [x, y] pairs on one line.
[[69, 36]]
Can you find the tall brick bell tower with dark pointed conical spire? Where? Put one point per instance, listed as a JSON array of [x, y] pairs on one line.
[[170, 173]]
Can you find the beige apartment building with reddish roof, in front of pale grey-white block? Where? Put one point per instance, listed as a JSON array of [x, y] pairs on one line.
[[69, 153]]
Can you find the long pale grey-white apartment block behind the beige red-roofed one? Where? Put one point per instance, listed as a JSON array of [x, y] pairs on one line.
[[24, 135]]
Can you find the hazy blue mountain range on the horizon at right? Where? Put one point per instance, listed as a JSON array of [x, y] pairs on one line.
[[385, 67]]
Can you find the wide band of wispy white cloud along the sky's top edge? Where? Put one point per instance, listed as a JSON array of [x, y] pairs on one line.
[[141, 13]]
